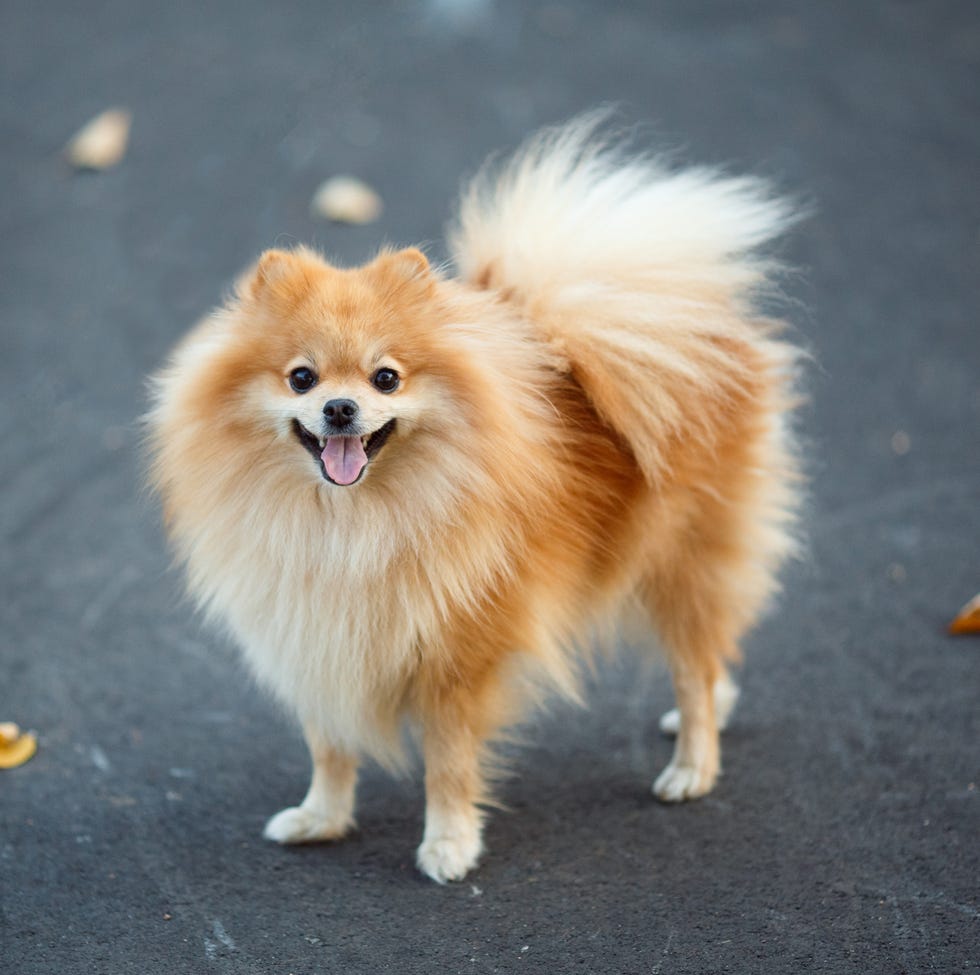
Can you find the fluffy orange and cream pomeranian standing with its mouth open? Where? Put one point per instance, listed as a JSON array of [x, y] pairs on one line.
[[412, 495]]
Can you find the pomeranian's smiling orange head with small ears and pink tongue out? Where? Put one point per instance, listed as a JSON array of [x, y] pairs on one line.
[[341, 364]]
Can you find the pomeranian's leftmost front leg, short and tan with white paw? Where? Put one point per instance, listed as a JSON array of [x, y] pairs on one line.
[[327, 812]]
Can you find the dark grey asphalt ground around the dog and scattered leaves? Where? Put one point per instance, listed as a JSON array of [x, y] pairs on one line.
[[844, 834]]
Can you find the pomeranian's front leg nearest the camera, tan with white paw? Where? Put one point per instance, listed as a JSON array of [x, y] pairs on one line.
[[453, 839]]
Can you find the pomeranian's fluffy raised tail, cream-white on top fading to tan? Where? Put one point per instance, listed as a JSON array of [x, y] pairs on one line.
[[645, 280]]
